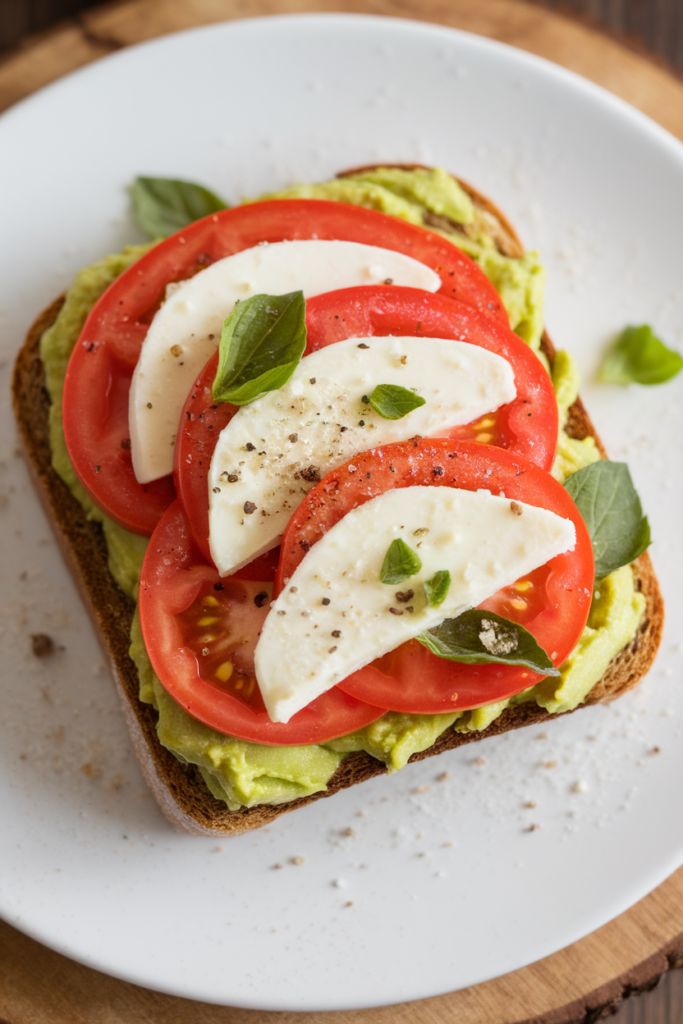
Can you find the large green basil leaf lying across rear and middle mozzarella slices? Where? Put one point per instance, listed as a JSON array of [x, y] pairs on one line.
[[262, 346]]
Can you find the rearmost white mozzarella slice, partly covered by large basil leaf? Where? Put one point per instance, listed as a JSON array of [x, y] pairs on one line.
[[187, 330]]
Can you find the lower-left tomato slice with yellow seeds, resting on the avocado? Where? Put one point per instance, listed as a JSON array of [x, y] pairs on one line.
[[201, 632]]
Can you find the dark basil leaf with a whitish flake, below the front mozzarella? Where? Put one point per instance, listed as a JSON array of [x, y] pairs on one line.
[[479, 636]]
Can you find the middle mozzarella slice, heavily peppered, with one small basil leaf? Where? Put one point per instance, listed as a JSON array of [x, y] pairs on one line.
[[274, 451]]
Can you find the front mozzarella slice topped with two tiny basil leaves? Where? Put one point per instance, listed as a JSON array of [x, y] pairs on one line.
[[335, 615]]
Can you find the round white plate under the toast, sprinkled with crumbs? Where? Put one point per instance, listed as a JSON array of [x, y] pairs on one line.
[[442, 884]]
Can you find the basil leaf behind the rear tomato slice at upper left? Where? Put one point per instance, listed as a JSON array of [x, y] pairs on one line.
[[163, 206]]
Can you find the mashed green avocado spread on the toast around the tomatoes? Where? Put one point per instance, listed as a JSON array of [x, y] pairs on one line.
[[242, 774]]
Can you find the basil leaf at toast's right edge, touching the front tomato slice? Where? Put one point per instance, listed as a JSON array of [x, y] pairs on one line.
[[611, 507]]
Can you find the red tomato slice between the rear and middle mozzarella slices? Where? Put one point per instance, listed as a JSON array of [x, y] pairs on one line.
[[527, 426]]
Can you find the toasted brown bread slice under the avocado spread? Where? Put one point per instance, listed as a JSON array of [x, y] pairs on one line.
[[180, 789]]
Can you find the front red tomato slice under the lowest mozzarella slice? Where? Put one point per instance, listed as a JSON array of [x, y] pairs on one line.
[[552, 604]]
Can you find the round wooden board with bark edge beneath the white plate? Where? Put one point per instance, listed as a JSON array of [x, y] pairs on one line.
[[589, 979]]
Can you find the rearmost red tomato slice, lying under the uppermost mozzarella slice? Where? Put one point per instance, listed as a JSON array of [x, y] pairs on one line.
[[96, 402]]
